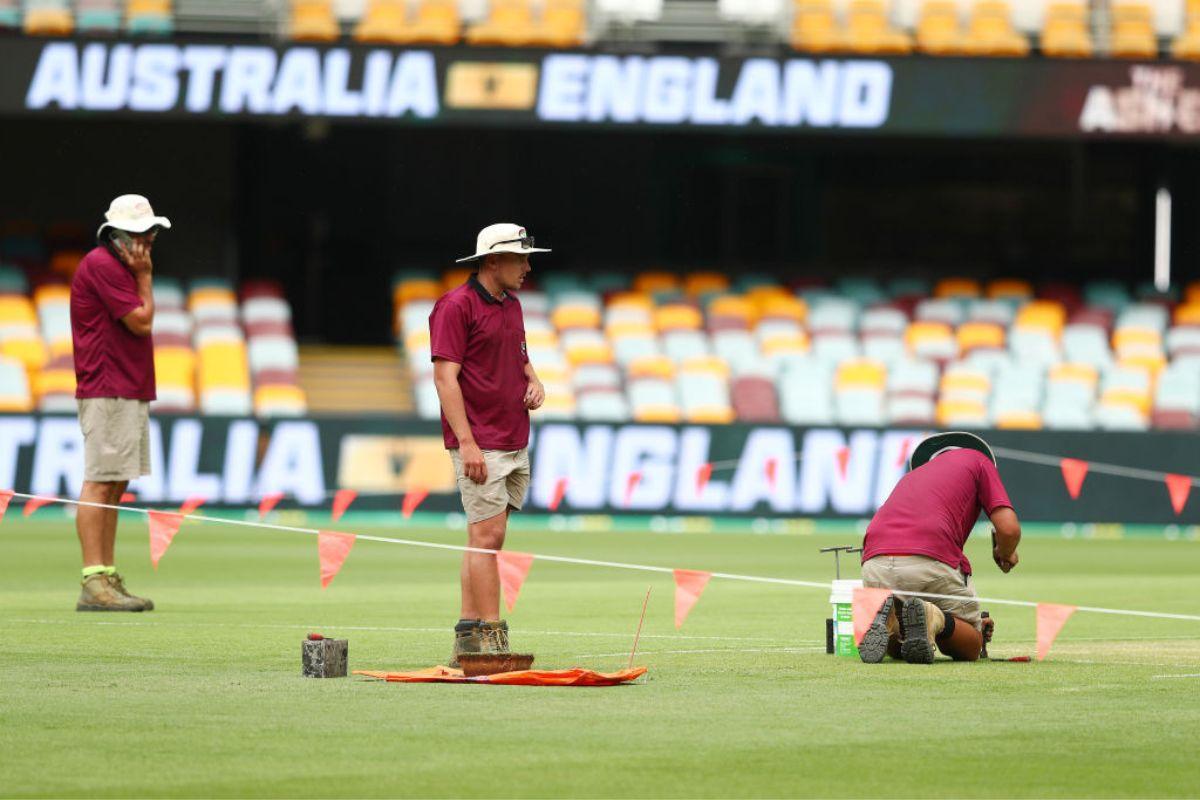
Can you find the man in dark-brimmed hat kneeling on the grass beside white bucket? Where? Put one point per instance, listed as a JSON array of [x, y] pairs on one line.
[[915, 544]]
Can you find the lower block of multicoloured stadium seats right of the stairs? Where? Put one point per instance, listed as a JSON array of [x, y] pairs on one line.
[[711, 348]]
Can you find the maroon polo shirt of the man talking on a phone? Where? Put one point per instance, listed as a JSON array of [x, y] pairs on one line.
[[111, 360]]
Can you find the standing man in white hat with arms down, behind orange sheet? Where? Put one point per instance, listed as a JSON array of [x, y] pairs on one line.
[[488, 388]]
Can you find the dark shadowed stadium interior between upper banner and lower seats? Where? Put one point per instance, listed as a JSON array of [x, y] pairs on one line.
[[331, 210]]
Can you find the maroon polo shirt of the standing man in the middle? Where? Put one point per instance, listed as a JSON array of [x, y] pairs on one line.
[[487, 338]]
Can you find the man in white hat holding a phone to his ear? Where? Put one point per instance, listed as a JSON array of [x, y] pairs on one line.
[[112, 314]]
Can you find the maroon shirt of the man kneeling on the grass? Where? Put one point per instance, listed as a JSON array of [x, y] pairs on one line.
[[934, 508]]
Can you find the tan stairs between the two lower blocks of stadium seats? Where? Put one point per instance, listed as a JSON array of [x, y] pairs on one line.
[[356, 381]]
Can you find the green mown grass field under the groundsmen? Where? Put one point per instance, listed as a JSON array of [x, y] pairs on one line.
[[203, 697]]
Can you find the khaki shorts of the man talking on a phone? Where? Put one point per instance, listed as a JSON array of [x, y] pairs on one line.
[[116, 438]]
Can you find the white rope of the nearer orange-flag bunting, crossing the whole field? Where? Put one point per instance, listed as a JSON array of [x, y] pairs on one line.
[[566, 560]]
